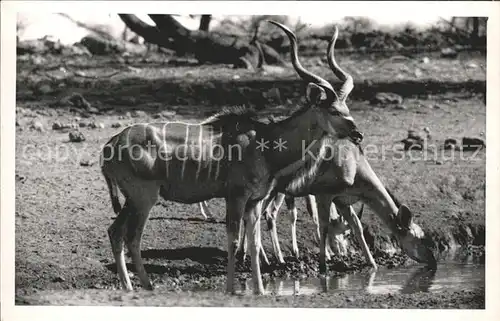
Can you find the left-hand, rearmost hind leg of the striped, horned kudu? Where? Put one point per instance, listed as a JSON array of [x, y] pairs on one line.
[[116, 233]]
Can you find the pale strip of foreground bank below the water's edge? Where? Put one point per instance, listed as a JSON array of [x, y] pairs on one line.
[[443, 300]]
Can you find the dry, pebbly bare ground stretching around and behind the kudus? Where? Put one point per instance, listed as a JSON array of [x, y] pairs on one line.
[[63, 209]]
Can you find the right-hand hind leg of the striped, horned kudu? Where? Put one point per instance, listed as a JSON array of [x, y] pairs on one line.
[[144, 200]]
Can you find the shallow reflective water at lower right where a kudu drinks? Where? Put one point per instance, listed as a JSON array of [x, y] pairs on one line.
[[455, 275]]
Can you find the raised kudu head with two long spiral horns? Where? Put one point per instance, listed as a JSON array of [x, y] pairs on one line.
[[333, 114]]
